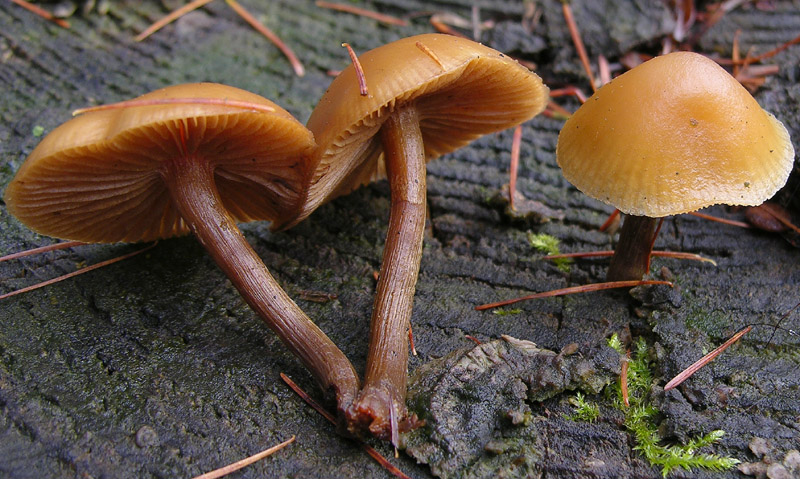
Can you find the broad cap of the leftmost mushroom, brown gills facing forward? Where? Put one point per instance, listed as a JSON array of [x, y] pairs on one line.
[[96, 178]]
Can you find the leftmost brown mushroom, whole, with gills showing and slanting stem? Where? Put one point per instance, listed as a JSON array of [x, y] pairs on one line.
[[172, 165]]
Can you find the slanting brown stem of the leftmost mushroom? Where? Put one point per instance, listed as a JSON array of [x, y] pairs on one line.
[[190, 180]]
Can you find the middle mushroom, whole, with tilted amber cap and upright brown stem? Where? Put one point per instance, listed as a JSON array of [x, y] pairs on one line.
[[425, 96]]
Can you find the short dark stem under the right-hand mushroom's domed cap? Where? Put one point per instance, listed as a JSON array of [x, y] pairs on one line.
[[631, 260]]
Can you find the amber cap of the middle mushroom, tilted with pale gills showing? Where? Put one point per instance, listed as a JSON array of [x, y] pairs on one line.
[[462, 91]]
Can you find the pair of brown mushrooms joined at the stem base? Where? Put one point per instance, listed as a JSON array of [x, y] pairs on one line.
[[202, 157]]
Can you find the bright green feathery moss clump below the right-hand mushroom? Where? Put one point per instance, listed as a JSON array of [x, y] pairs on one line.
[[640, 420]]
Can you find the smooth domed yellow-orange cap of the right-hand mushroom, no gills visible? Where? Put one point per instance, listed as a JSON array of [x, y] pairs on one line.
[[675, 134]]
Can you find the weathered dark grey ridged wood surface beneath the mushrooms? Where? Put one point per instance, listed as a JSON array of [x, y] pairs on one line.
[[154, 367]]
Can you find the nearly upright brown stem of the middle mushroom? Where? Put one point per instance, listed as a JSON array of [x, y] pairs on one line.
[[381, 403]]
